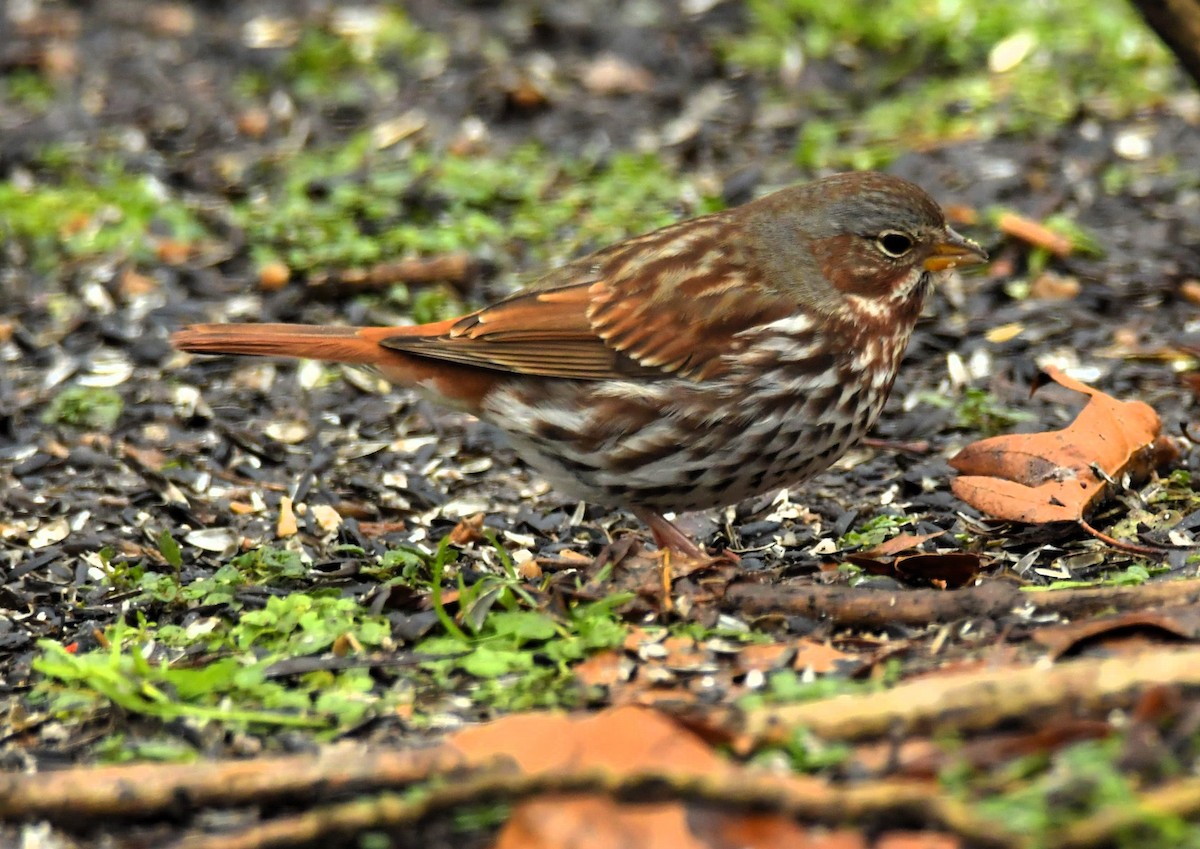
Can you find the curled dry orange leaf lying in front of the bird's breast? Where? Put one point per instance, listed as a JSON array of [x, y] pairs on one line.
[[1059, 475]]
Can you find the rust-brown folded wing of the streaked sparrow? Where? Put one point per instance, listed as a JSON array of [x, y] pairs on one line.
[[671, 303]]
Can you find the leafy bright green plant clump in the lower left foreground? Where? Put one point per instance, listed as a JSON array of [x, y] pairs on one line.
[[231, 682]]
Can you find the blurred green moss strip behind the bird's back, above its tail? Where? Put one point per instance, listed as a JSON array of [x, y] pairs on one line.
[[356, 206]]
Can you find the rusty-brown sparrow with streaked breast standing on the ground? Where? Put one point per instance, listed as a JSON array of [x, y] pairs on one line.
[[687, 369]]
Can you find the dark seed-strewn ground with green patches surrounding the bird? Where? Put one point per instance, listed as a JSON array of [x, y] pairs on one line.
[[167, 164]]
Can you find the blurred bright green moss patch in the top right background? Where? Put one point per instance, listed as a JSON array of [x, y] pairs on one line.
[[934, 81]]
